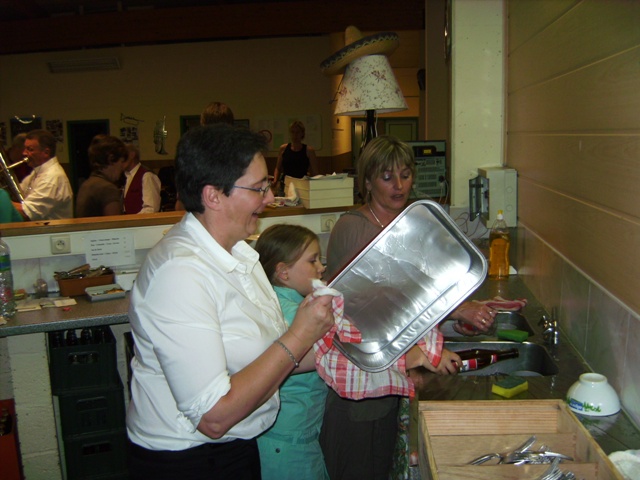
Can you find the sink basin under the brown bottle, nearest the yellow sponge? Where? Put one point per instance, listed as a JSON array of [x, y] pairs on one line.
[[534, 360]]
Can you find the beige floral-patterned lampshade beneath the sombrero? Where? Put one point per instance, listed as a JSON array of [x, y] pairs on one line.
[[369, 84]]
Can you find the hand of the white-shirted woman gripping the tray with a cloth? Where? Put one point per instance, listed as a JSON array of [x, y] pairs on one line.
[[313, 319]]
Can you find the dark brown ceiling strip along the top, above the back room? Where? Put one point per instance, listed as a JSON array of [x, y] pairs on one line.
[[222, 21]]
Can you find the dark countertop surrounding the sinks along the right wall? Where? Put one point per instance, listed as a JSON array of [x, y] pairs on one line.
[[613, 433]]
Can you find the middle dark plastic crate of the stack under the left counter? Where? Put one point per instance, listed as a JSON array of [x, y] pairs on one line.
[[91, 411]]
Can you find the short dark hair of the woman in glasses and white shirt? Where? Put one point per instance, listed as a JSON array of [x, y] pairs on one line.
[[214, 155]]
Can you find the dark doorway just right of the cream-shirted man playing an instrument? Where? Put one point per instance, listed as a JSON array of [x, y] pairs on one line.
[[80, 134]]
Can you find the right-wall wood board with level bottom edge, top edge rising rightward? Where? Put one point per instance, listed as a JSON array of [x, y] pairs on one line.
[[602, 98]]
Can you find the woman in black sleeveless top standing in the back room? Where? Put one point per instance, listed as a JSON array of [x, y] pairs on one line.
[[295, 159]]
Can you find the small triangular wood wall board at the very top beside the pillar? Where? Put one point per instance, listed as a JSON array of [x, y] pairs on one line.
[[530, 17]]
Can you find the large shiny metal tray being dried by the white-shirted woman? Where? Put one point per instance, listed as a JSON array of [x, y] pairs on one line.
[[409, 278]]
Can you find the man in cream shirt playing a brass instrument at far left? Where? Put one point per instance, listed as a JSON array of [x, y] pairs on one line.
[[46, 190]]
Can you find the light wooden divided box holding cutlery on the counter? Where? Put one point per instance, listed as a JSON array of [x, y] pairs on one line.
[[452, 433]]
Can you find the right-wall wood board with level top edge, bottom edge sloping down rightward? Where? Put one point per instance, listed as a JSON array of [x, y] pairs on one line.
[[604, 170]]
